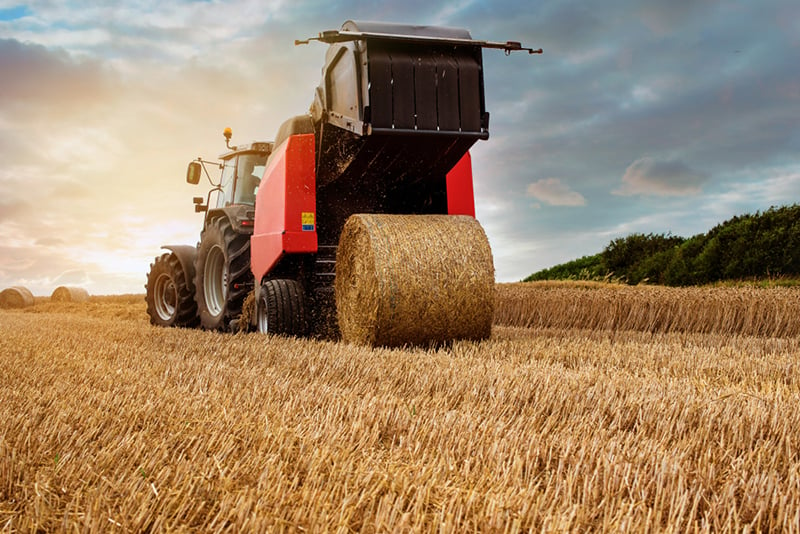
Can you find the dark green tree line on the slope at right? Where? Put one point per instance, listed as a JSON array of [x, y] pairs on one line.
[[752, 246]]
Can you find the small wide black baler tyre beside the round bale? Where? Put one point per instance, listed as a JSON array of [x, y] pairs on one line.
[[281, 308]]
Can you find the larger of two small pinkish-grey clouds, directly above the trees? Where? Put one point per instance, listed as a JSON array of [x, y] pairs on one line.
[[649, 176]]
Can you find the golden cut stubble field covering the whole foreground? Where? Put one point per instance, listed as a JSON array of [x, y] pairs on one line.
[[110, 424]]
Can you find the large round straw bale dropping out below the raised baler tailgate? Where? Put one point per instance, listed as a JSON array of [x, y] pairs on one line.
[[413, 280]]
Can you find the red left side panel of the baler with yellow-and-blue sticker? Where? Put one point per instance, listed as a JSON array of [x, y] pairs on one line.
[[285, 206]]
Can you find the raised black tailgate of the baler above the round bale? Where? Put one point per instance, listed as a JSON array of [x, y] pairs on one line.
[[398, 104]]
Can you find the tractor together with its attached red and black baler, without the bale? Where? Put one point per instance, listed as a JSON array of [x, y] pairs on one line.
[[388, 132]]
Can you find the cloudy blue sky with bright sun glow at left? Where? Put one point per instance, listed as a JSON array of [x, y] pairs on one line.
[[640, 116]]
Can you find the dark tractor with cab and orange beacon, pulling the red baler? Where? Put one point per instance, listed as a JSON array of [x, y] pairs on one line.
[[206, 285]]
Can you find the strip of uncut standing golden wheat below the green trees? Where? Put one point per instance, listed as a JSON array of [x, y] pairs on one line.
[[722, 310]]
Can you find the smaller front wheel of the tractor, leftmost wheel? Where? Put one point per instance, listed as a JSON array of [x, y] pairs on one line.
[[169, 297]]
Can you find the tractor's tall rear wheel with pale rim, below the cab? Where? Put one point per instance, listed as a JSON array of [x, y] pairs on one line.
[[222, 275]]
